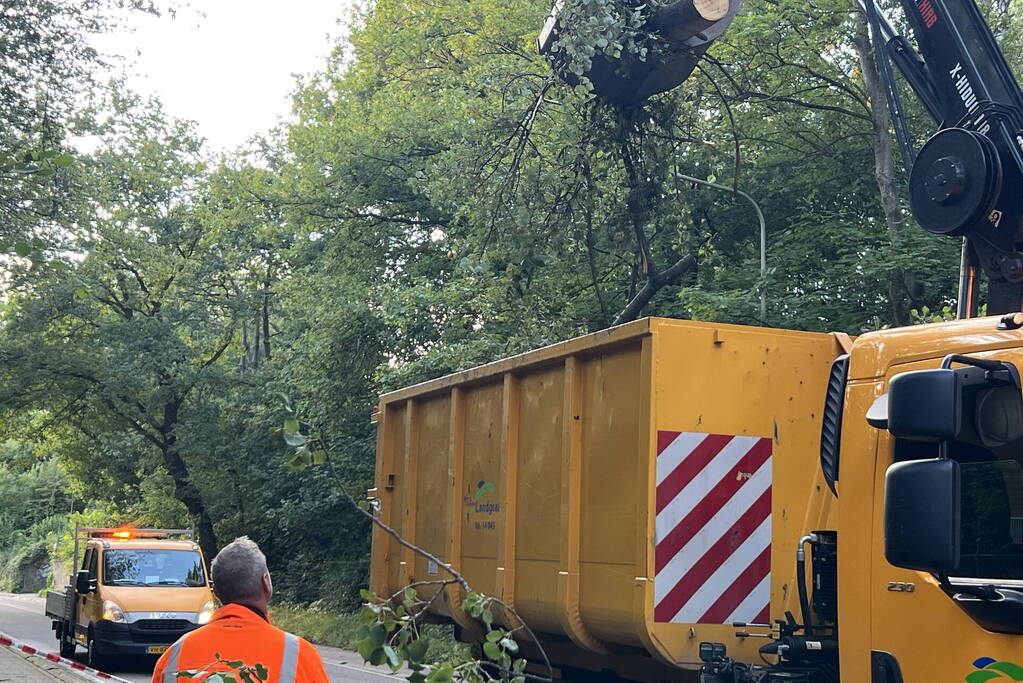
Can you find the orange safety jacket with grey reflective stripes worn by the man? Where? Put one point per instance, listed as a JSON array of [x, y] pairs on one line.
[[237, 632]]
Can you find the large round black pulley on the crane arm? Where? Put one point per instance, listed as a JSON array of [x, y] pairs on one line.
[[955, 183]]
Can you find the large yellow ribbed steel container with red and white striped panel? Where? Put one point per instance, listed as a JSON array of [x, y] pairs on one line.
[[631, 493]]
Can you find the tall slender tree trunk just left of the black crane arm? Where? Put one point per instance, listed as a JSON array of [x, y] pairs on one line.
[[902, 284]]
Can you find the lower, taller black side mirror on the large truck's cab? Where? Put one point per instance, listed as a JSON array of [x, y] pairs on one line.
[[922, 516]]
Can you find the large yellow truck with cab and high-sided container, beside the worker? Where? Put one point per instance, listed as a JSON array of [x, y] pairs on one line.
[[688, 502]]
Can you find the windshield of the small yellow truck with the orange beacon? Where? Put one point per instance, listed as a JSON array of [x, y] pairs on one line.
[[153, 568]]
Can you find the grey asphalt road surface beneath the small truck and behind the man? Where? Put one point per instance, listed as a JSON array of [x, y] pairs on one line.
[[22, 618]]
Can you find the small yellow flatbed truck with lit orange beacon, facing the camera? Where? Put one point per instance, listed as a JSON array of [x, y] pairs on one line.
[[136, 593]]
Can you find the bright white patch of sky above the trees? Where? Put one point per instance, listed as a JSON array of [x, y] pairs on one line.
[[229, 64]]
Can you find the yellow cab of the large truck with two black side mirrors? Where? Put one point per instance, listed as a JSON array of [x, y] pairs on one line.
[[930, 505]]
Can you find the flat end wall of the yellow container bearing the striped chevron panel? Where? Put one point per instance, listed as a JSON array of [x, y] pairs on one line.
[[737, 423]]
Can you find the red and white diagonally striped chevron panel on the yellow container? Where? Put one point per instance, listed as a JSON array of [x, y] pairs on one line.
[[713, 554]]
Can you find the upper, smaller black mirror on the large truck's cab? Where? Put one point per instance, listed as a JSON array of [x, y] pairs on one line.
[[925, 405]]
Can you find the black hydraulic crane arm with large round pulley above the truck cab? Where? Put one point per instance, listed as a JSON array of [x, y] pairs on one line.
[[968, 179]]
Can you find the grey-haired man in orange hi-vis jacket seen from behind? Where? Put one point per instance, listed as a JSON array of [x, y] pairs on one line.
[[241, 631]]
